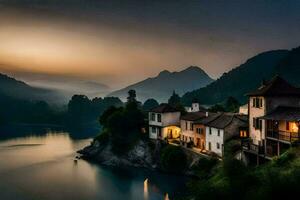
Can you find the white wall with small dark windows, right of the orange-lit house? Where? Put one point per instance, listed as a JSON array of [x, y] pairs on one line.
[[213, 138]]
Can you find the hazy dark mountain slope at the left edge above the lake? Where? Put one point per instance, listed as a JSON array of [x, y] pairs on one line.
[[12, 88]]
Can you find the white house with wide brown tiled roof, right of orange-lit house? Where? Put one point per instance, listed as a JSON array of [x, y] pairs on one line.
[[221, 127]]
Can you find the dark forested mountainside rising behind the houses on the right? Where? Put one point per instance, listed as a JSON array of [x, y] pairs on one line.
[[240, 80]]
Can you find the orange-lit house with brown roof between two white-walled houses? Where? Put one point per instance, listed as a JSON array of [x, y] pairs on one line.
[[193, 135]]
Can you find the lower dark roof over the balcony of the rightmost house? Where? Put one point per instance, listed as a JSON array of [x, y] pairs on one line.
[[284, 113]]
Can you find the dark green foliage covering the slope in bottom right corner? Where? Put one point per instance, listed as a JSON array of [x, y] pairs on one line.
[[233, 180]]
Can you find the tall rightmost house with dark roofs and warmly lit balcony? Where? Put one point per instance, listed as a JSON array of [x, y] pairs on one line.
[[274, 116]]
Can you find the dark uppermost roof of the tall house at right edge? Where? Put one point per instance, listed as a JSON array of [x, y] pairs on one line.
[[276, 87]]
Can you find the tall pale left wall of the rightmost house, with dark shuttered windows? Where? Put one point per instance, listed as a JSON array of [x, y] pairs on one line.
[[255, 134]]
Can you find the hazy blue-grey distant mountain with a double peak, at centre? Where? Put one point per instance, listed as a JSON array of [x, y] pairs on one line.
[[161, 86]]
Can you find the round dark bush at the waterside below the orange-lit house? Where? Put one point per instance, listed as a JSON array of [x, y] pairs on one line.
[[173, 159]]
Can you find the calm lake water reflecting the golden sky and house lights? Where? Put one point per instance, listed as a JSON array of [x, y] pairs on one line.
[[41, 167]]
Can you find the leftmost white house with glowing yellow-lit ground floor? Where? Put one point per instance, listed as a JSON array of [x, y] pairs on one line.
[[164, 122]]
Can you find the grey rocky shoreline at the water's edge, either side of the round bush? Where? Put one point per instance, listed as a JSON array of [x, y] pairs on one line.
[[145, 154]]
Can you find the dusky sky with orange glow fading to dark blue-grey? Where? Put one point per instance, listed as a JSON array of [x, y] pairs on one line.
[[120, 42]]
